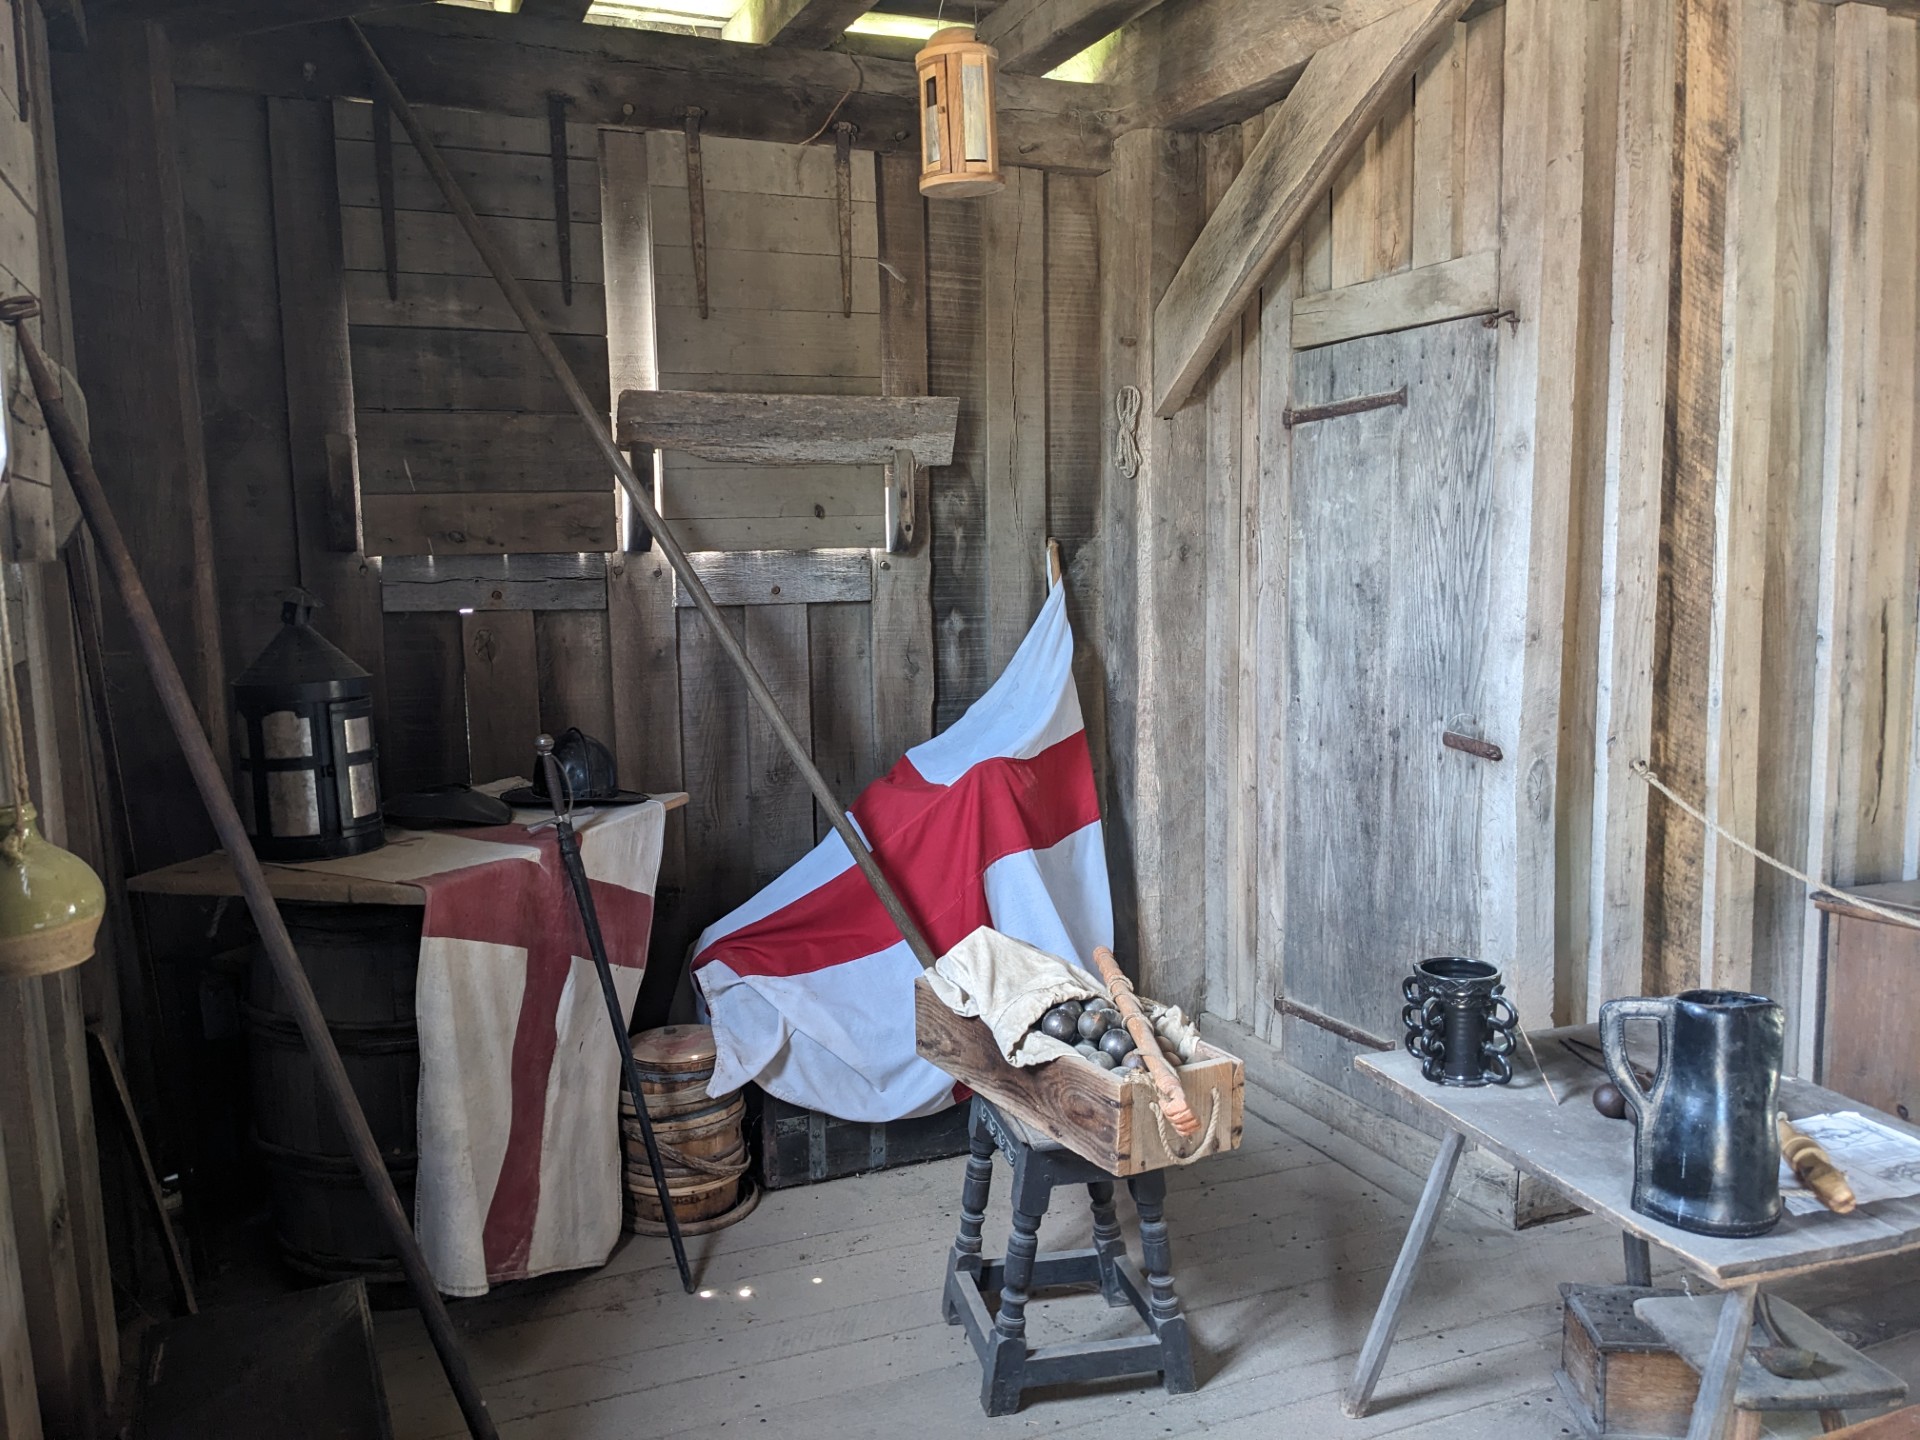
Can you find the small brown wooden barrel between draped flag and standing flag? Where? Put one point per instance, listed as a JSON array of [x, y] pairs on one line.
[[702, 1138]]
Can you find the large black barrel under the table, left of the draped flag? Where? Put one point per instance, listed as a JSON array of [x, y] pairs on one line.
[[362, 963]]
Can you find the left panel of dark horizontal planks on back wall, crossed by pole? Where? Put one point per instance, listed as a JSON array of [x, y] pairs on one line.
[[466, 443]]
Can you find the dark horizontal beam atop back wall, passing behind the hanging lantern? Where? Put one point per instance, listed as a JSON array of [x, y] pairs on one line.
[[640, 80]]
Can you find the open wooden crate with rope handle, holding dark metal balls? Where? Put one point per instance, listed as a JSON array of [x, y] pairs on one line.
[[1099, 1115]]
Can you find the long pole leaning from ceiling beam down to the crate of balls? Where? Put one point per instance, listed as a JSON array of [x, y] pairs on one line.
[[636, 492]]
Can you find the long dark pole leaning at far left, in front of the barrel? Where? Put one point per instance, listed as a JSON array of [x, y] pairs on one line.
[[212, 784]]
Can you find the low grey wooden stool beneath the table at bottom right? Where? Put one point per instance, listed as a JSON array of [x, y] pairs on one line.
[[1848, 1380]]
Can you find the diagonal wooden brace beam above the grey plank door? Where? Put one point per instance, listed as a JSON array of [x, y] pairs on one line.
[[1330, 112]]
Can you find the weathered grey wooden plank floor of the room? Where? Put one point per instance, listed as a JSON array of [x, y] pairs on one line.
[[819, 1316]]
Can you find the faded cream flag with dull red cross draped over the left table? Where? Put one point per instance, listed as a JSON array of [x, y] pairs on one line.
[[519, 1168]]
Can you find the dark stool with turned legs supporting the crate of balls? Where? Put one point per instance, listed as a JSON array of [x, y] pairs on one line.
[[1001, 1339]]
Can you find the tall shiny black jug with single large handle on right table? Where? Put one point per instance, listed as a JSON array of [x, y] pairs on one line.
[[1706, 1151]]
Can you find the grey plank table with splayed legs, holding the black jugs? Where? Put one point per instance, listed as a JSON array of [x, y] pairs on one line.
[[1591, 1161]]
